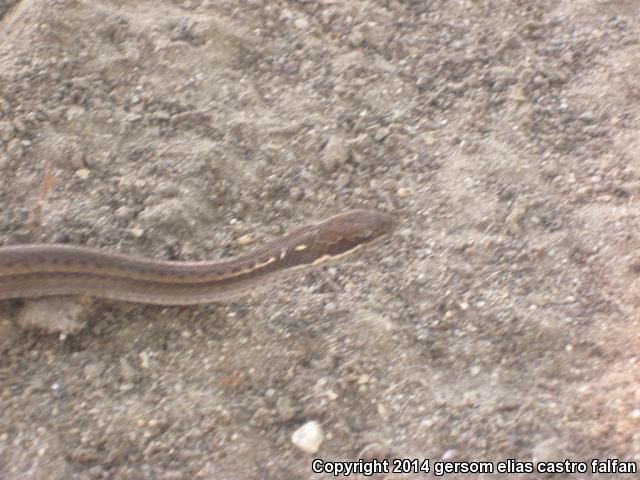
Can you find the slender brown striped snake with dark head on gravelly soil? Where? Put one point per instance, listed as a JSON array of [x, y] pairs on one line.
[[41, 270]]
